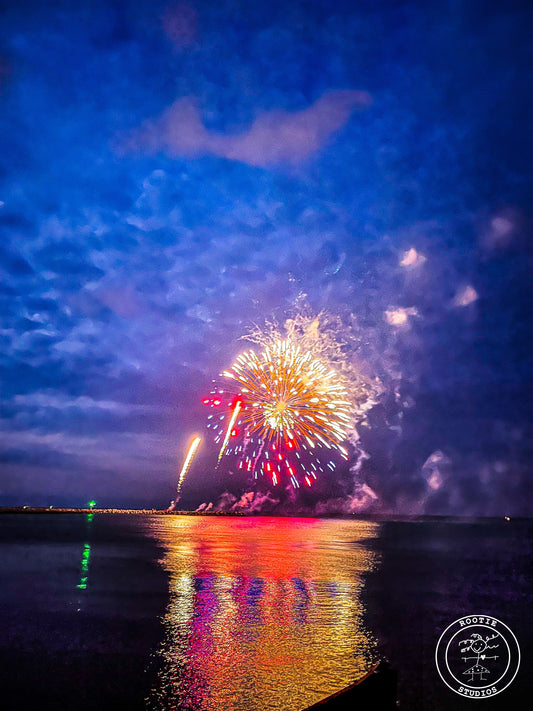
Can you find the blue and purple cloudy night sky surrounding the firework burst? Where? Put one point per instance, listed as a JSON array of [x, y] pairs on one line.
[[171, 174]]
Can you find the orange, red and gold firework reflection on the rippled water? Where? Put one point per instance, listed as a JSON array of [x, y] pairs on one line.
[[264, 613]]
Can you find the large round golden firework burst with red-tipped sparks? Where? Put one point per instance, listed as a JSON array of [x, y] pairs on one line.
[[279, 410]]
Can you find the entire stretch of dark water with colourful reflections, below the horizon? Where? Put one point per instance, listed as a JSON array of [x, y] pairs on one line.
[[222, 613]]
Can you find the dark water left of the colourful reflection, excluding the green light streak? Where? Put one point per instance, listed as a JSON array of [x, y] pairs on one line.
[[61, 648]]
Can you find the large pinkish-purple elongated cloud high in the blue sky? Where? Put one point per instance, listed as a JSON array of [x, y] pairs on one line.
[[274, 138]]
